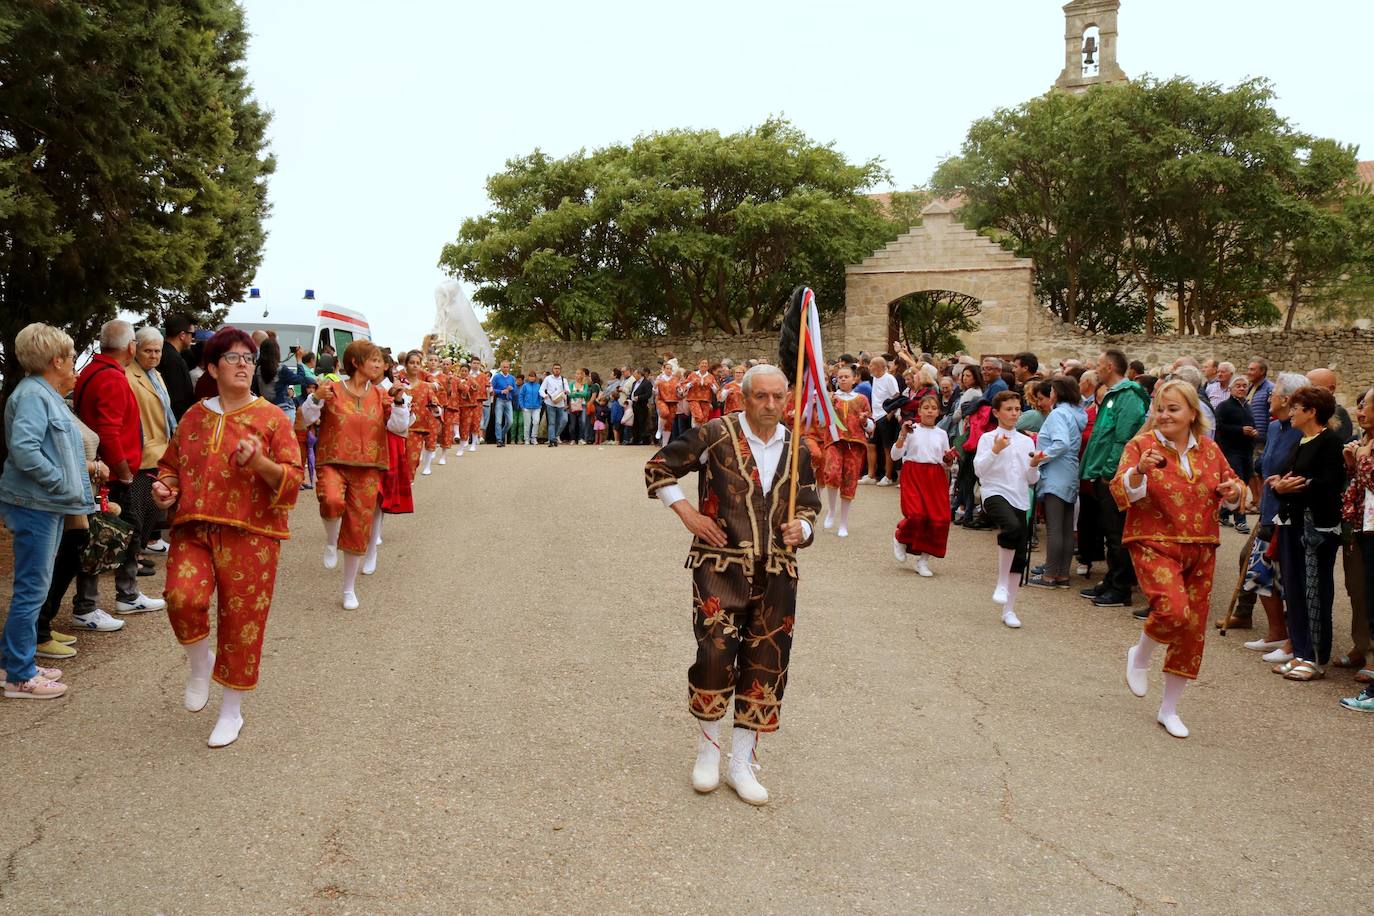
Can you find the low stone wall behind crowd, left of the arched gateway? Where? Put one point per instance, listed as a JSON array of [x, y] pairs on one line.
[[601, 356]]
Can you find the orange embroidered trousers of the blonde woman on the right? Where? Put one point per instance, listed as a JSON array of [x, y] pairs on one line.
[[1177, 579]]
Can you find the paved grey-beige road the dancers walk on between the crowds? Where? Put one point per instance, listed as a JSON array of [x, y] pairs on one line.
[[502, 729]]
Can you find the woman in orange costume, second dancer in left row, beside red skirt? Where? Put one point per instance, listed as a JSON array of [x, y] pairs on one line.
[[355, 415]]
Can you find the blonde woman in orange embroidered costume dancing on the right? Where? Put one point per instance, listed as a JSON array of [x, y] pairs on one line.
[[1173, 483]]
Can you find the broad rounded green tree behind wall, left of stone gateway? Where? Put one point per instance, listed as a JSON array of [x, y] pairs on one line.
[[675, 233]]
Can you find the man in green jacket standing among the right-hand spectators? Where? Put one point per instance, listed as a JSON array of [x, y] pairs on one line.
[[1120, 418]]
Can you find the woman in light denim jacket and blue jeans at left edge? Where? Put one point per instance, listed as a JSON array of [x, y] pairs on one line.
[[46, 479]]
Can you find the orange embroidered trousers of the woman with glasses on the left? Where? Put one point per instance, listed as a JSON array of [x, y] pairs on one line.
[[238, 566]]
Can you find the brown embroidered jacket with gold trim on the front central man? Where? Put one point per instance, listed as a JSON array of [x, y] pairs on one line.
[[730, 491]]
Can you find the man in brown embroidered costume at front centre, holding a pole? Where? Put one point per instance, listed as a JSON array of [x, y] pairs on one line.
[[744, 565]]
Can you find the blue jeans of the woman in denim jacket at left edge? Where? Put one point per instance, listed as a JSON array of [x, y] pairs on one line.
[[36, 538]]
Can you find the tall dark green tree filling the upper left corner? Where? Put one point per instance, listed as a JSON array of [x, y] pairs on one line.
[[133, 163]]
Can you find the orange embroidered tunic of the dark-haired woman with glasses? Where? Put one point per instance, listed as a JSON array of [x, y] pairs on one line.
[[200, 461]]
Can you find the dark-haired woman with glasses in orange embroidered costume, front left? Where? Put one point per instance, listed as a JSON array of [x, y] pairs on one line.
[[233, 472]]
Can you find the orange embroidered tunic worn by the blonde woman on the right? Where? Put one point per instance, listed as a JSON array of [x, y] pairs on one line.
[[1180, 507]]
